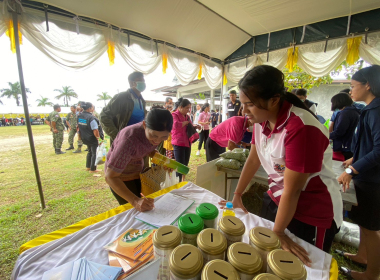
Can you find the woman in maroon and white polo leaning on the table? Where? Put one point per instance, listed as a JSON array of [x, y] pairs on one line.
[[293, 148]]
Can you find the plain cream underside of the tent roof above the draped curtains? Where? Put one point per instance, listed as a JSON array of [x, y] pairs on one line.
[[213, 27]]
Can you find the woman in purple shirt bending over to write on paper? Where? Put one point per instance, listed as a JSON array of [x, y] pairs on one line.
[[125, 159]]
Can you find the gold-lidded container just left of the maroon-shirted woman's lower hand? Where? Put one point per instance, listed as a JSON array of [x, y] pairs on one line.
[[263, 240]]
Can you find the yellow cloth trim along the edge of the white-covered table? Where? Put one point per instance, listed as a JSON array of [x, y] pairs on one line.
[[98, 218]]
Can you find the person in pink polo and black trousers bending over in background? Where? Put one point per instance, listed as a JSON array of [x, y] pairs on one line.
[[226, 135]]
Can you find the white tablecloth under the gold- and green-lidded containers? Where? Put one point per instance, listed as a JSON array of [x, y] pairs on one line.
[[89, 241]]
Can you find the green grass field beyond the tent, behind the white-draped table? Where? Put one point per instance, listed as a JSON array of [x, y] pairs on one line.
[[71, 193]]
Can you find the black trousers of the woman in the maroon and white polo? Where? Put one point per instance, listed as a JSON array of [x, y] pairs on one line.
[[321, 238]]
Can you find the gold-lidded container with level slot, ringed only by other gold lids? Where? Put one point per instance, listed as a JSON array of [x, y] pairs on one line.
[[244, 258]]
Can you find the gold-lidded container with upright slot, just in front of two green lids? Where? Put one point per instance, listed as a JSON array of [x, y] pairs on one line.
[[213, 245]]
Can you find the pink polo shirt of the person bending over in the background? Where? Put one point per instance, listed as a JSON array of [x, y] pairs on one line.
[[232, 129]]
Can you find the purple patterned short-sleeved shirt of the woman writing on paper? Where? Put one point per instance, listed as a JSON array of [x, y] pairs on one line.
[[127, 152]]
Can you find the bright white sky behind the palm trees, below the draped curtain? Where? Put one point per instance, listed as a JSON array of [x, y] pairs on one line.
[[42, 76]]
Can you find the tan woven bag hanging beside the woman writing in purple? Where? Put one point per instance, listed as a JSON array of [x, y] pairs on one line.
[[151, 178]]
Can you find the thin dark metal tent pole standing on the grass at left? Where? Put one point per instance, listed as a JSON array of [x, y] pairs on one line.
[[26, 111]]
